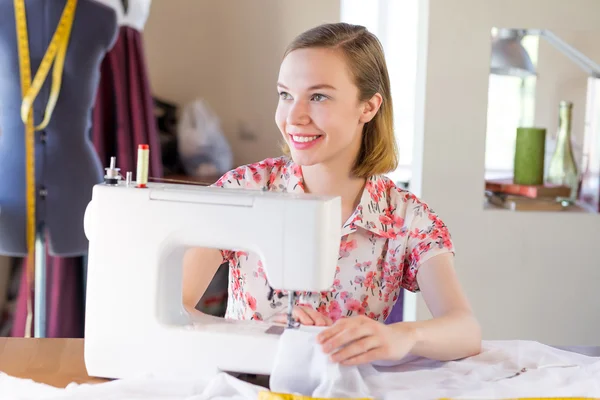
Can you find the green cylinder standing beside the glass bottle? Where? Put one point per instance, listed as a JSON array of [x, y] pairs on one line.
[[530, 148]]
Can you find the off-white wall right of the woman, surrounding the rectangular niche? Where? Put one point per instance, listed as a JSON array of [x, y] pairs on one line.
[[528, 275]]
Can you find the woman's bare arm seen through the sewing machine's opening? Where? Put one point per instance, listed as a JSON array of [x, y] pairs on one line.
[[199, 267]]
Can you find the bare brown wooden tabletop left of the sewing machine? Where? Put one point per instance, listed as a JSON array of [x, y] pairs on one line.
[[56, 362]]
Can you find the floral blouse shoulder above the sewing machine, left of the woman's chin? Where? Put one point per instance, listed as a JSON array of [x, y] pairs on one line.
[[259, 175]]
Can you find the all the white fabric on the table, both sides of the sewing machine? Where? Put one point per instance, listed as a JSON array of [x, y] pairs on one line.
[[301, 368]]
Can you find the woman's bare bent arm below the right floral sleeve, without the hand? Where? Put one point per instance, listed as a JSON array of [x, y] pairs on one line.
[[453, 332]]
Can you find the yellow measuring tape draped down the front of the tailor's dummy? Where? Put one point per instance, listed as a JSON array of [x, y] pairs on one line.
[[56, 54]]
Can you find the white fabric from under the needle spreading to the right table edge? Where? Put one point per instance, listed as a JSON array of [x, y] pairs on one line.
[[301, 368]]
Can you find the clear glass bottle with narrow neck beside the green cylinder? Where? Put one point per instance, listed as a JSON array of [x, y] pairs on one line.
[[563, 168]]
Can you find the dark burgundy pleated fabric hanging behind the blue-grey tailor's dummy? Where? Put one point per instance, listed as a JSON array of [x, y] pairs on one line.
[[122, 118]]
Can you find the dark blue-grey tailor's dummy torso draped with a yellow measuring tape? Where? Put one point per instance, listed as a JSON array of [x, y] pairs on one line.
[[67, 165]]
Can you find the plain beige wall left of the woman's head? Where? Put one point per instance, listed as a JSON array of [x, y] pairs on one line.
[[229, 54]]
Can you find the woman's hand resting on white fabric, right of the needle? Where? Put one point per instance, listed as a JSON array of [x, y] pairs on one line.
[[361, 340]]
